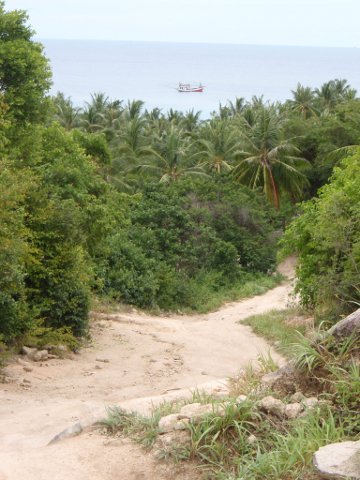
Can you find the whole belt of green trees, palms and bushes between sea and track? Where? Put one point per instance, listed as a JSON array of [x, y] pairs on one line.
[[161, 209]]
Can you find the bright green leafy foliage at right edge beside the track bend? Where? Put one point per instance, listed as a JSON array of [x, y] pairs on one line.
[[326, 238]]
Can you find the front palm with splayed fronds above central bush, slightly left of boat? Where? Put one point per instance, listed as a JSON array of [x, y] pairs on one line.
[[170, 158]]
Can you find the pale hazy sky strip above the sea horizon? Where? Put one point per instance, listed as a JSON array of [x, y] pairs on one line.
[[264, 22]]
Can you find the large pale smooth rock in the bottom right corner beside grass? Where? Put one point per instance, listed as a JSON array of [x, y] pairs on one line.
[[339, 460]]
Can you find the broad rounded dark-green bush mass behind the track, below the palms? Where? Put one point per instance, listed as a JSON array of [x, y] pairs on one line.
[[180, 250]]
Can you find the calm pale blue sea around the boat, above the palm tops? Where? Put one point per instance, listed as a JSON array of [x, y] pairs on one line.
[[151, 71]]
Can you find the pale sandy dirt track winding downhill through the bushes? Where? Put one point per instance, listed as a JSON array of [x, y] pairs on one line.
[[144, 356]]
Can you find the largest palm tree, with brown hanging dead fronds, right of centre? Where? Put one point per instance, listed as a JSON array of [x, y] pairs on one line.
[[268, 161]]
